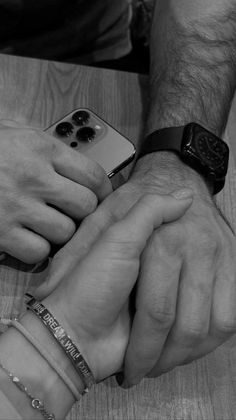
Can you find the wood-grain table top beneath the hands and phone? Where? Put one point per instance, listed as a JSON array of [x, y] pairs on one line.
[[38, 93]]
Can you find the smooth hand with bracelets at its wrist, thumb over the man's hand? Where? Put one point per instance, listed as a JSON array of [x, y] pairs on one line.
[[92, 302]]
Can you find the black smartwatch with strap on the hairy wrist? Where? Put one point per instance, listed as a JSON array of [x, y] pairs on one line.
[[197, 147]]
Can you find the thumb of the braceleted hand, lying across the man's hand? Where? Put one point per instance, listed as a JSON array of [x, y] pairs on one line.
[[126, 238]]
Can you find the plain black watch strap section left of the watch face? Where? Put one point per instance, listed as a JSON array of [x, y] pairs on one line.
[[164, 139]]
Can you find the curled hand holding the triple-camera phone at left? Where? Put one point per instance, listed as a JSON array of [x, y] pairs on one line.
[[44, 187]]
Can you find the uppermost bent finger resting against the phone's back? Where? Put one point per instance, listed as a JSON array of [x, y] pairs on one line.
[[78, 168]]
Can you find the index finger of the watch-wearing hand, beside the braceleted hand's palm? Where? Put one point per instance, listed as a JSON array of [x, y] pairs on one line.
[[155, 310]]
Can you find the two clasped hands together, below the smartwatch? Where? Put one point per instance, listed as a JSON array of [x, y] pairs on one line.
[[186, 289]]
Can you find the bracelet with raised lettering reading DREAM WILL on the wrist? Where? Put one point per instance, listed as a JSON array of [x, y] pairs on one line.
[[64, 340]]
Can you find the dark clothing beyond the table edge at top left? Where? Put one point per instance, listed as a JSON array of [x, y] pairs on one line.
[[82, 31]]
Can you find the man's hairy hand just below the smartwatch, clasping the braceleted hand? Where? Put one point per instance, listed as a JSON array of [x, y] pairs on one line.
[[186, 291]]
